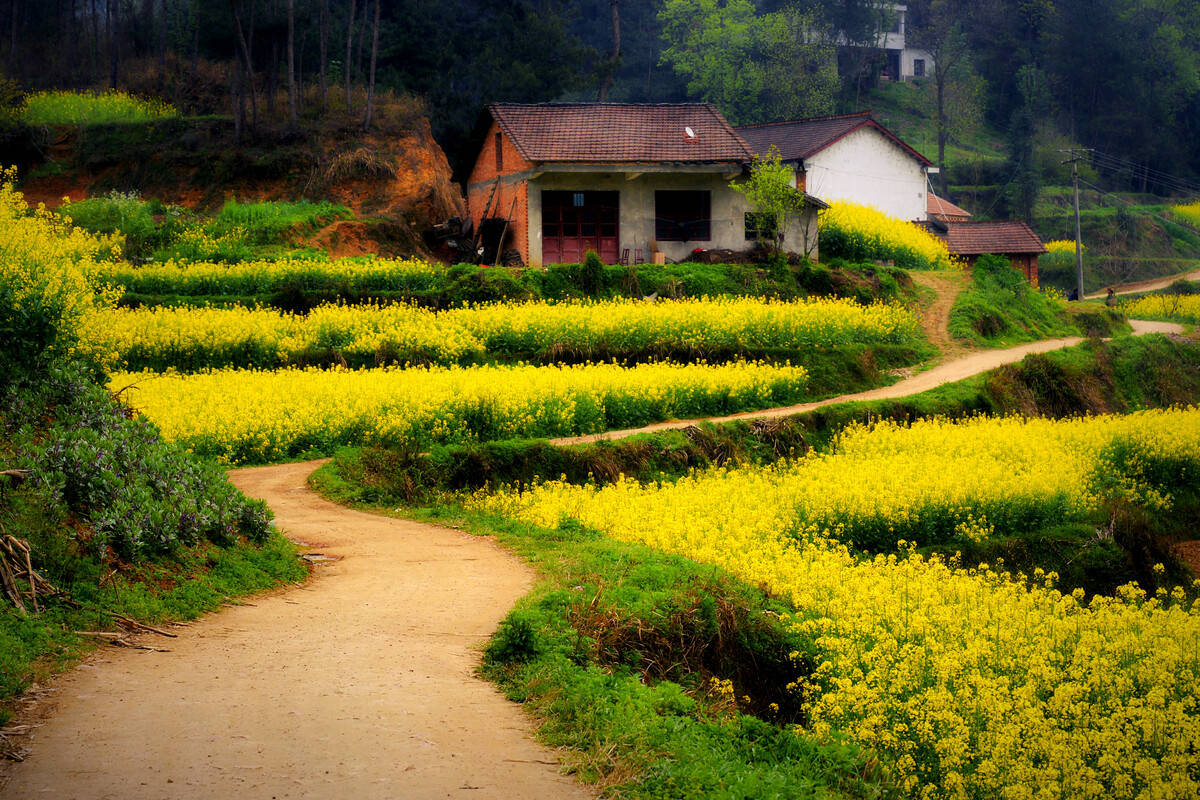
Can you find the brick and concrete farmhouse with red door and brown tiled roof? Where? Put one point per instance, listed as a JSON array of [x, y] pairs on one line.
[[629, 182]]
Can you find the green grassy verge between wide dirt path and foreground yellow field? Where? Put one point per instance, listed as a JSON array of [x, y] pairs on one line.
[[615, 652]]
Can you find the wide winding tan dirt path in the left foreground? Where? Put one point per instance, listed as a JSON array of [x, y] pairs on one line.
[[358, 685]]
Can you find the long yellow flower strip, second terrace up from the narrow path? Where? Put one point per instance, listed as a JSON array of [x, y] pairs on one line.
[[373, 335]]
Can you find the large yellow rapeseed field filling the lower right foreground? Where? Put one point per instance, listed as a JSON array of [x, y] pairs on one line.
[[968, 683]]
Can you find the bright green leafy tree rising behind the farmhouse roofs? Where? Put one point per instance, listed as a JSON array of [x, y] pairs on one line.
[[752, 67]]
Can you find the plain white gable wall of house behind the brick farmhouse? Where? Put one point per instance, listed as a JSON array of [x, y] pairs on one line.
[[871, 170]]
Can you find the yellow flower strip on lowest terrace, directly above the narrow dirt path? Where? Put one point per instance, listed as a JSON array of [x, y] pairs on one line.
[[257, 417]]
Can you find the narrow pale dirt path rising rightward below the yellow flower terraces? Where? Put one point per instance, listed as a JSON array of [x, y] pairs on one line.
[[958, 370]]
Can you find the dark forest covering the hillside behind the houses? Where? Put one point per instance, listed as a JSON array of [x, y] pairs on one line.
[[1119, 76]]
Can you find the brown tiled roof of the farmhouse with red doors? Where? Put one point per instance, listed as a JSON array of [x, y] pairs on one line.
[[621, 133]]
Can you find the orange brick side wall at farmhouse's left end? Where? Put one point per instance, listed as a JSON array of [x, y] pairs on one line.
[[514, 171]]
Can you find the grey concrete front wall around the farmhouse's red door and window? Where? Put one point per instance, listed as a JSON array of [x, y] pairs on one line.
[[637, 224]]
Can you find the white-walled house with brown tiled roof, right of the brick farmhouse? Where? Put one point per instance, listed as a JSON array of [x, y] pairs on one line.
[[850, 158]]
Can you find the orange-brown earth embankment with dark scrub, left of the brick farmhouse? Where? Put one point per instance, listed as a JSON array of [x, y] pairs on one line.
[[398, 183]]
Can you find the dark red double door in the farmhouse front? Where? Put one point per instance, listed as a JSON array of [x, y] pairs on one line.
[[575, 222]]
